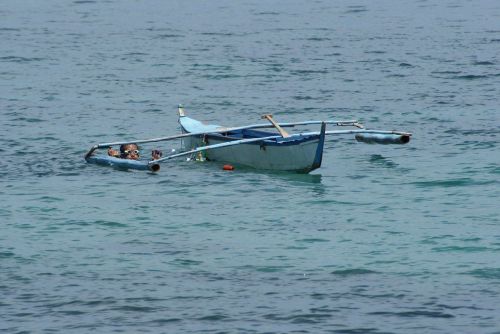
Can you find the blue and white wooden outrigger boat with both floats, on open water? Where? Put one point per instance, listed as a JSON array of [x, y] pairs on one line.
[[249, 145]]
